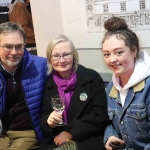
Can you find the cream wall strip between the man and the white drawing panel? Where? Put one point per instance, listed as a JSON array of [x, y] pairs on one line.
[[46, 23]]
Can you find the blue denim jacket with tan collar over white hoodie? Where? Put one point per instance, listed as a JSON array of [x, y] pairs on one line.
[[131, 122]]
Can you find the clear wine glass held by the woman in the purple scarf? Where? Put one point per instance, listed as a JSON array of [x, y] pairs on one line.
[[58, 104]]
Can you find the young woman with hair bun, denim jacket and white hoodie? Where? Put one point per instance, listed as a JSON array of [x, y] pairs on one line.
[[128, 93]]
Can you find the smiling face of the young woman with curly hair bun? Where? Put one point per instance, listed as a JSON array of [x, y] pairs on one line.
[[119, 57]]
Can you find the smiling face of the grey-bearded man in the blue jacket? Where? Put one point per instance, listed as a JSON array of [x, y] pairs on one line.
[[10, 60]]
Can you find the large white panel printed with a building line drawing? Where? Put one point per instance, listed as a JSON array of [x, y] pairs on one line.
[[83, 20]]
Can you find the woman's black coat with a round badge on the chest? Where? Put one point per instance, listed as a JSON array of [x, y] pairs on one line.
[[87, 119]]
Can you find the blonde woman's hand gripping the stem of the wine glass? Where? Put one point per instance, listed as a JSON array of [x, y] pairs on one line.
[[54, 119]]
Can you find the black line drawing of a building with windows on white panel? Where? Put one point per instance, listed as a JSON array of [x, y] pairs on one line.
[[135, 12]]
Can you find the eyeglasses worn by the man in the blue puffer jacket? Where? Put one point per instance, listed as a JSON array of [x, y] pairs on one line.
[[10, 47]]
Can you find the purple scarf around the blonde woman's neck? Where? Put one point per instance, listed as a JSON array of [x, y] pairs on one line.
[[65, 88]]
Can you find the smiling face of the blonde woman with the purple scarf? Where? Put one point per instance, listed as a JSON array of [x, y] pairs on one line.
[[62, 66]]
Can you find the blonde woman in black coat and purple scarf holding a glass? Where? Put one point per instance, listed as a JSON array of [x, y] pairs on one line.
[[84, 92]]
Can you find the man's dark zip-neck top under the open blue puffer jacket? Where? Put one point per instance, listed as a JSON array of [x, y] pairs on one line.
[[16, 116]]
